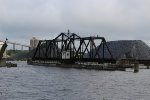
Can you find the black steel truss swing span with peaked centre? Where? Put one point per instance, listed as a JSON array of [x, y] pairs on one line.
[[82, 49]]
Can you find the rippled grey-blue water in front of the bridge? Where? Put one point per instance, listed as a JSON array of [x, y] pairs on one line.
[[27, 82]]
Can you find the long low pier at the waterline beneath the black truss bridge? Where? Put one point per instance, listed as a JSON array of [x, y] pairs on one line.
[[106, 67]]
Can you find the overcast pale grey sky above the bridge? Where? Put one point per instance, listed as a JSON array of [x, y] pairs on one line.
[[20, 20]]
